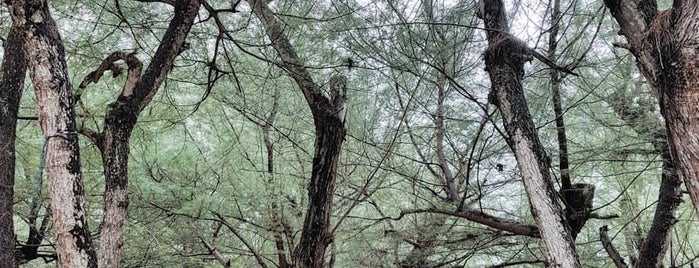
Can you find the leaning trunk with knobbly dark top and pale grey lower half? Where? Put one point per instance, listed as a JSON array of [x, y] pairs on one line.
[[504, 59]]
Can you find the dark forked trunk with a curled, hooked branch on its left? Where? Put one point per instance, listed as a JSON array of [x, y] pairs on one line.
[[121, 118]]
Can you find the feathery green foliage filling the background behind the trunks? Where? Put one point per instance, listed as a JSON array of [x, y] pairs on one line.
[[198, 161]]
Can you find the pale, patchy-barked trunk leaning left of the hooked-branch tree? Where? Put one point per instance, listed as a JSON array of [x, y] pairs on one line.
[[49, 74]]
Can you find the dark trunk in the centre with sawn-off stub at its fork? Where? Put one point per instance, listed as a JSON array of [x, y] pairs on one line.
[[329, 118]]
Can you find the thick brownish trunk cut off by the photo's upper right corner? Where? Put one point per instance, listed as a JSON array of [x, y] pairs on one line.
[[666, 47]]
